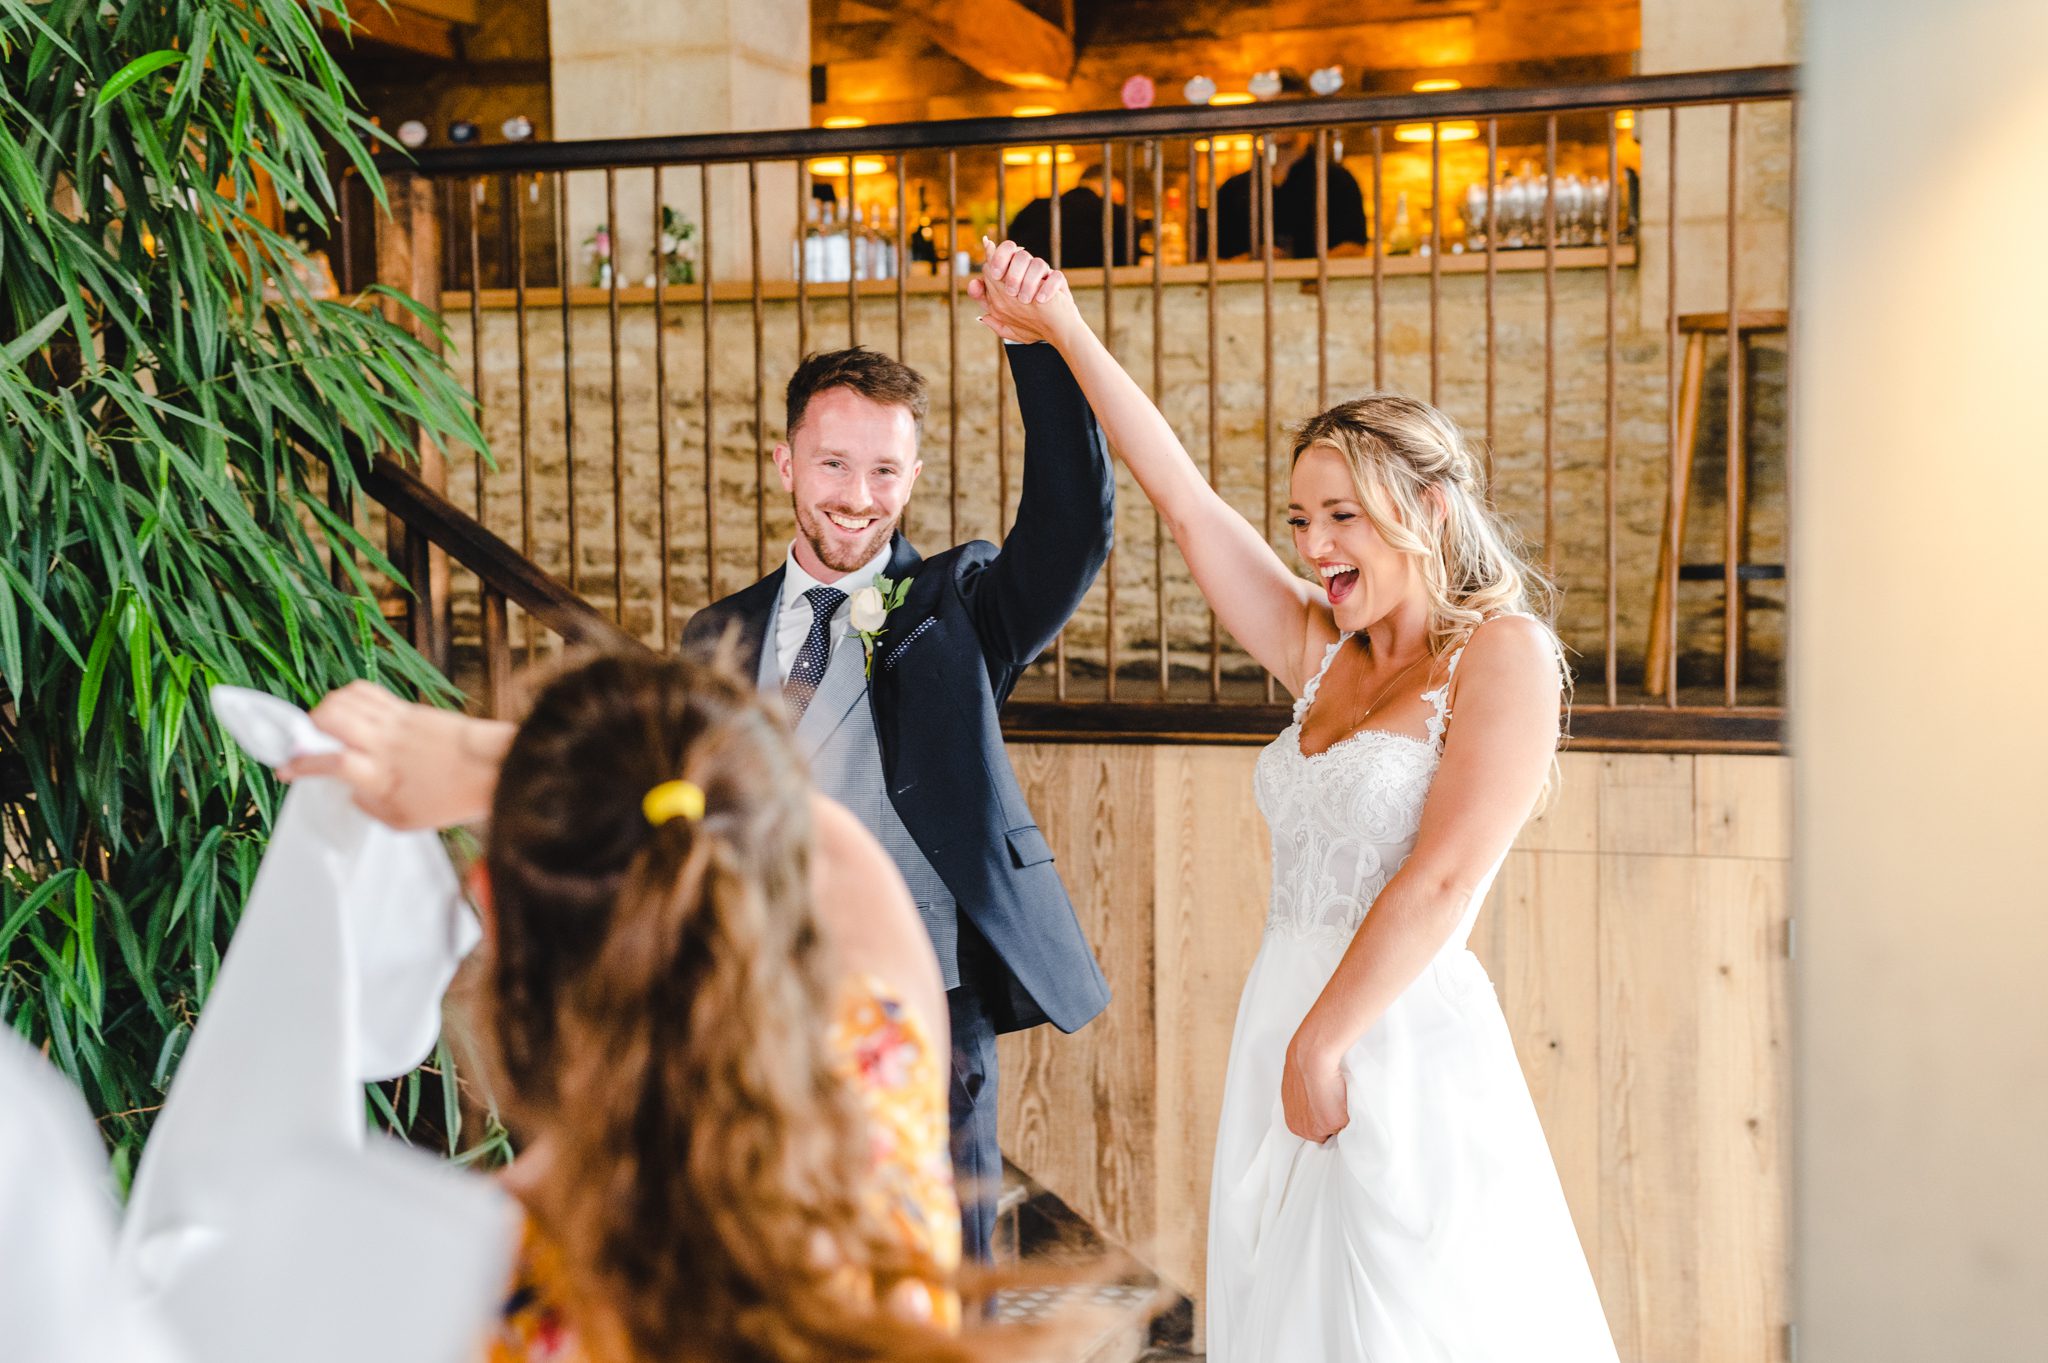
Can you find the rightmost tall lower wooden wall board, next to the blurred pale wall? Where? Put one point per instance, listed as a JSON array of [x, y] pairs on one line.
[[1744, 1108]]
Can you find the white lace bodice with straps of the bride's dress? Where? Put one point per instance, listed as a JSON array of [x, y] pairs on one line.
[[1345, 820]]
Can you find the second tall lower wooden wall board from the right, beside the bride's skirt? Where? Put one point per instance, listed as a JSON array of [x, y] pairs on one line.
[[1650, 1143]]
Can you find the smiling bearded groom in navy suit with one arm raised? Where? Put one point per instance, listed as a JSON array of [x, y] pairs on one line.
[[894, 670]]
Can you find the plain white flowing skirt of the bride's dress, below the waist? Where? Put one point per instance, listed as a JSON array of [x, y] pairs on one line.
[[1428, 1231]]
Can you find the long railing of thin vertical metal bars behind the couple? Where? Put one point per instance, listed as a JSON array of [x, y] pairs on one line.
[[1560, 343]]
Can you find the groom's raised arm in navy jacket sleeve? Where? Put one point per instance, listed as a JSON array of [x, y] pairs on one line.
[[1066, 515]]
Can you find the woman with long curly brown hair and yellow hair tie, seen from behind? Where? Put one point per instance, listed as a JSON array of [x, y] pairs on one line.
[[714, 1020]]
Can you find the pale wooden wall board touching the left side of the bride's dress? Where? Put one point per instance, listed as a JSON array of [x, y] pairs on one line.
[[1213, 885]]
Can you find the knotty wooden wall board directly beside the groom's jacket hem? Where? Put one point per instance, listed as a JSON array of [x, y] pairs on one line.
[[1078, 1110]]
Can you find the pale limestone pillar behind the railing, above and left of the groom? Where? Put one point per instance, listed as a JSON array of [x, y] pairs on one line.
[[642, 69]]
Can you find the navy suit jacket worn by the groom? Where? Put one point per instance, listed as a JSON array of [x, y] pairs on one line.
[[974, 621]]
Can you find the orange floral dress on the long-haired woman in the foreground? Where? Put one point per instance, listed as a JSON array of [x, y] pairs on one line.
[[886, 1053]]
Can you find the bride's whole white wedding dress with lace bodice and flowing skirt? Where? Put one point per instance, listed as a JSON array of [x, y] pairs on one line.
[[1433, 1227]]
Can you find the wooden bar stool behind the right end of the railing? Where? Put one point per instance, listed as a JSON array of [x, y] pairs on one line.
[[1664, 611]]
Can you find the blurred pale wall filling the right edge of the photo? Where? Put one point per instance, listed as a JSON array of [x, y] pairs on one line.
[[1920, 695]]
